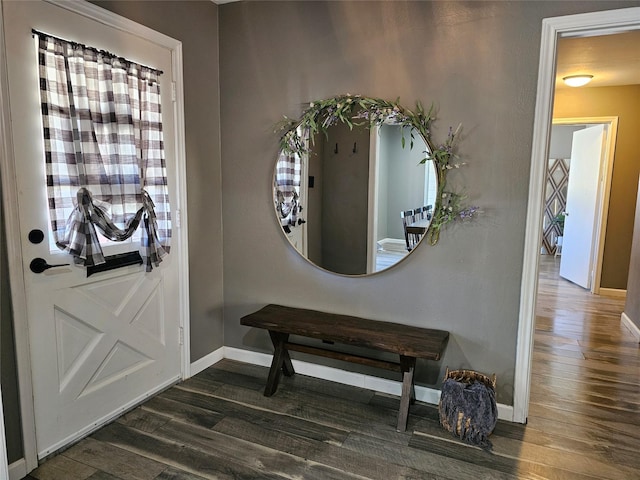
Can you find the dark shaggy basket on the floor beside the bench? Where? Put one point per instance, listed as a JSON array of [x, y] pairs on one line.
[[466, 410]]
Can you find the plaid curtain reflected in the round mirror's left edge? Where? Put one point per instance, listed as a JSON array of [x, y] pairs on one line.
[[287, 188]]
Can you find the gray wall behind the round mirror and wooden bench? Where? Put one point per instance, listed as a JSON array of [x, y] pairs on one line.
[[479, 62]]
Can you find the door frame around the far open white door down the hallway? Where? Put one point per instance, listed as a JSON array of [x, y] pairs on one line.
[[604, 187]]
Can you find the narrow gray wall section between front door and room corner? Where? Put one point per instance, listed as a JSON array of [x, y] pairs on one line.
[[195, 24]]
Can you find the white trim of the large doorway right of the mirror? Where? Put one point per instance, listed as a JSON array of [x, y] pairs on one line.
[[586, 24]]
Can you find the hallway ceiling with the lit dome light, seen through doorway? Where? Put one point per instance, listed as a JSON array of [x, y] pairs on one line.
[[611, 59]]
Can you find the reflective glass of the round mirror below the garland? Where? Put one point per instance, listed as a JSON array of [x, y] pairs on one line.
[[346, 203]]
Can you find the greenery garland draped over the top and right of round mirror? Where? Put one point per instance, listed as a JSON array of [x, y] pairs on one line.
[[360, 110]]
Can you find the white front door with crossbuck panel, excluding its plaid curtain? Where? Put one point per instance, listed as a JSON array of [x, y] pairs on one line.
[[99, 344]]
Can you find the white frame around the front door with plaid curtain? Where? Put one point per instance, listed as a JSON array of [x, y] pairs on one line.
[[10, 197]]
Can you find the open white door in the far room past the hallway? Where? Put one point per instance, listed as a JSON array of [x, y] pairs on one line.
[[587, 150]]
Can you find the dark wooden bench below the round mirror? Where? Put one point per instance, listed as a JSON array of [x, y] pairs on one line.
[[409, 342]]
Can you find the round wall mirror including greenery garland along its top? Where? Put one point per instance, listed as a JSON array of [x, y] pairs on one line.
[[357, 183]]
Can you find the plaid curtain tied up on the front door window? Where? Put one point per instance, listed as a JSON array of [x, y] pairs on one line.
[[104, 151]]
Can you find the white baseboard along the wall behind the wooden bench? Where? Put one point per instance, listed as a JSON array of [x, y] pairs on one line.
[[377, 384]]
